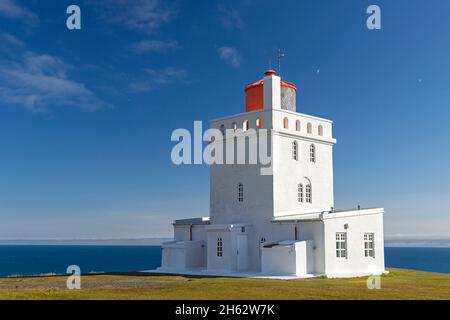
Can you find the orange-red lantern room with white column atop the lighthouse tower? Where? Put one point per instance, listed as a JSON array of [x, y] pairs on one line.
[[257, 92]]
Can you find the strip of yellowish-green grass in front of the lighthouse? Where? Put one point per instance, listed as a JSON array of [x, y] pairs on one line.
[[398, 284]]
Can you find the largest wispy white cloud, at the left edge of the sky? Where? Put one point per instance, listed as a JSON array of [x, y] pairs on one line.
[[39, 82]]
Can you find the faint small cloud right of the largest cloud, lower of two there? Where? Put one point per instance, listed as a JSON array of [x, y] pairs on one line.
[[157, 78]]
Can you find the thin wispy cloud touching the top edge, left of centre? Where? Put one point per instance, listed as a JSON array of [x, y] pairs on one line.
[[145, 16]]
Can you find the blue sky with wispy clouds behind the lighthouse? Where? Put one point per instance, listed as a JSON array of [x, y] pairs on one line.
[[86, 116]]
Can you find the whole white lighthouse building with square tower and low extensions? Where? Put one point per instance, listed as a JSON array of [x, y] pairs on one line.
[[283, 223]]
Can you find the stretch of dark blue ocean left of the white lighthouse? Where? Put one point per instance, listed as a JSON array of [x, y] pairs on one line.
[[43, 259]]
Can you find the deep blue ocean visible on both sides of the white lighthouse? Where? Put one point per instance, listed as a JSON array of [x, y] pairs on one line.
[[45, 259]]
